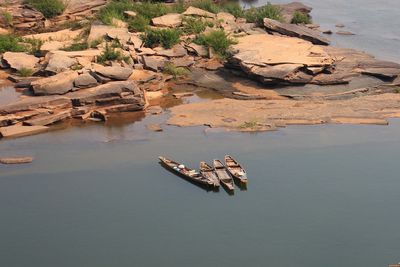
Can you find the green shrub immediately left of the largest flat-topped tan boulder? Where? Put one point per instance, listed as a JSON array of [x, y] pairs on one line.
[[218, 40]]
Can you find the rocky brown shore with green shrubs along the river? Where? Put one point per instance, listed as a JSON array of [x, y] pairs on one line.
[[272, 72]]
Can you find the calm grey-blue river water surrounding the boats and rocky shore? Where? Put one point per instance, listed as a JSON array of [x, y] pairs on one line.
[[95, 195]]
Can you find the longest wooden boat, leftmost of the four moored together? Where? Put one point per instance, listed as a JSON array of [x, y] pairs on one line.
[[185, 172]]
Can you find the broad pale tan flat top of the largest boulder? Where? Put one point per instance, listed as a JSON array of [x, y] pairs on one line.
[[264, 49]]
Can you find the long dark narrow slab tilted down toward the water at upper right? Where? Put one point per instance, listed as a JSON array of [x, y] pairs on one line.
[[295, 31]]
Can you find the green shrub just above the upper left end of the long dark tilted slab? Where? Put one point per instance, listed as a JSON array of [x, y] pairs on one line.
[[257, 15]]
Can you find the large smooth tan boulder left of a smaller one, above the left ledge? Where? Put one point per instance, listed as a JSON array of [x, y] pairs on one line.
[[55, 85]]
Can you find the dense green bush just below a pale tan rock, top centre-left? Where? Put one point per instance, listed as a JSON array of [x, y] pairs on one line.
[[164, 37]]
